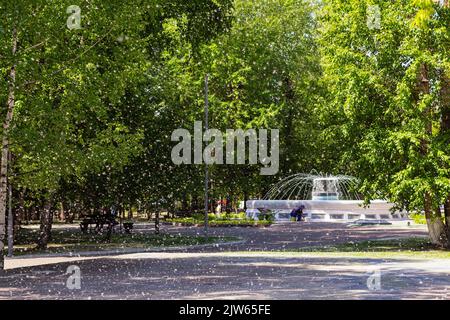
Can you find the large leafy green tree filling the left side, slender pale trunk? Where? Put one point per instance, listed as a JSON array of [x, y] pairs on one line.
[[66, 68]]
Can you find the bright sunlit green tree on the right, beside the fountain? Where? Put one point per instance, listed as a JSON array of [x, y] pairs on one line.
[[387, 98]]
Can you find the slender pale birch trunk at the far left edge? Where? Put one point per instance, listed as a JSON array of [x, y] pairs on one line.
[[5, 149]]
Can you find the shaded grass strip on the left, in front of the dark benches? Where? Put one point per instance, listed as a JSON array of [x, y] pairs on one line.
[[74, 240]]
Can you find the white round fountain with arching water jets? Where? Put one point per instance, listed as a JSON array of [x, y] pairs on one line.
[[323, 197]]
